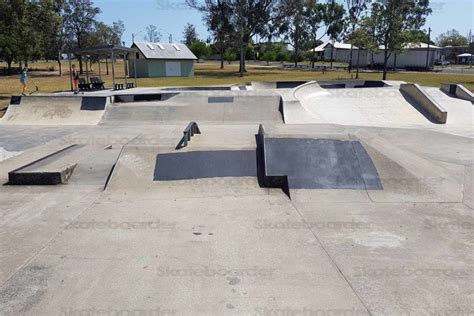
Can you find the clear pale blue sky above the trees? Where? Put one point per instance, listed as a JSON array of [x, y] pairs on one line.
[[170, 16]]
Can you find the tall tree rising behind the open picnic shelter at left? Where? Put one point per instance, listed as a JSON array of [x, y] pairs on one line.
[[79, 20]]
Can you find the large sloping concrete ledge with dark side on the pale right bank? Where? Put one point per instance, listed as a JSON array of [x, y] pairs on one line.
[[425, 101]]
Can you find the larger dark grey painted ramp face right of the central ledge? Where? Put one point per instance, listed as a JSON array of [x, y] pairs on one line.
[[321, 164]]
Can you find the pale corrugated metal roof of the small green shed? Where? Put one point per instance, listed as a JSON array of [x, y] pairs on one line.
[[165, 51]]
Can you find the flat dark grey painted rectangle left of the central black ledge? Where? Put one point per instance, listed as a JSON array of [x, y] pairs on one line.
[[205, 164]]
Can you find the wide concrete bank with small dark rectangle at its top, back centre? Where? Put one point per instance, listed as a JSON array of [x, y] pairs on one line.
[[212, 108]]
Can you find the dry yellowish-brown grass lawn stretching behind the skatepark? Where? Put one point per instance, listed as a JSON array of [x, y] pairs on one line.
[[209, 74]]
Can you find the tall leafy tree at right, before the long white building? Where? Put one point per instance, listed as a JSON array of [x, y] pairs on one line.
[[394, 23]]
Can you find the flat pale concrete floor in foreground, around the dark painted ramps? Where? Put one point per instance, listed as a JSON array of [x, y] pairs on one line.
[[226, 246]]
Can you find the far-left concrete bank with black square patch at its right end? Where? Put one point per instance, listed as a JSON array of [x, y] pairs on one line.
[[55, 110]]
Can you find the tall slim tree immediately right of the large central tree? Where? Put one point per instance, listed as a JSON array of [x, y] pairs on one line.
[[293, 22]]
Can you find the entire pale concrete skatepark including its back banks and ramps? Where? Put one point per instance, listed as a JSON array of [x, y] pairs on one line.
[[117, 239]]
